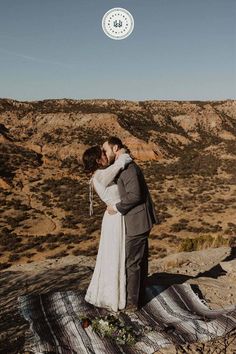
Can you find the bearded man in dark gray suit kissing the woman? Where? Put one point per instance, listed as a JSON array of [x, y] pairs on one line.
[[139, 215]]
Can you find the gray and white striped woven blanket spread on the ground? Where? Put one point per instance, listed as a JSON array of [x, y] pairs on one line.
[[175, 315]]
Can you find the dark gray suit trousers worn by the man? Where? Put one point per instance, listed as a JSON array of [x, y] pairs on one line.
[[136, 258]]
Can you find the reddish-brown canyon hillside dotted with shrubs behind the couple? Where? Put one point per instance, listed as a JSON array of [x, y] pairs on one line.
[[186, 150]]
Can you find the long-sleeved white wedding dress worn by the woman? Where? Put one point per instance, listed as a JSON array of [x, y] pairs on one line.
[[107, 288]]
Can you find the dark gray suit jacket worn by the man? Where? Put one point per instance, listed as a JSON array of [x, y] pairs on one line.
[[136, 203]]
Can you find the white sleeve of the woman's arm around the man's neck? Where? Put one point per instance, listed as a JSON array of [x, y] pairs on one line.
[[107, 175]]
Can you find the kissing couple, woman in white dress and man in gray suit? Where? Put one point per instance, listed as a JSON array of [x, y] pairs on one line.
[[120, 274]]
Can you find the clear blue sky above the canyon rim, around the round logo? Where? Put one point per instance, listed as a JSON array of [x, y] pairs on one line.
[[179, 49]]
